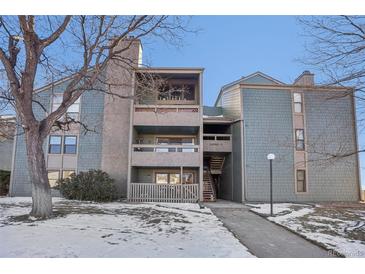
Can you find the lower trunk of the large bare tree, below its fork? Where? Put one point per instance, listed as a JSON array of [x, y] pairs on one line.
[[41, 192]]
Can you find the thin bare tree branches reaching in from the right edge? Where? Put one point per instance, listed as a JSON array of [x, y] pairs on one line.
[[336, 48]]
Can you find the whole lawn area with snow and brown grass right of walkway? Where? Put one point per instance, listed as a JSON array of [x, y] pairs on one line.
[[340, 228]]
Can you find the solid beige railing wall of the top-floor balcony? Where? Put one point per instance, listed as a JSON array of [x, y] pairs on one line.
[[167, 115]]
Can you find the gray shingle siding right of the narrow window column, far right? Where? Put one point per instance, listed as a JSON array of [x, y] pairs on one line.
[[329, 126]]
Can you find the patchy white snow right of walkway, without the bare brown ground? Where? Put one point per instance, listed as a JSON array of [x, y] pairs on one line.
[[332, 232]]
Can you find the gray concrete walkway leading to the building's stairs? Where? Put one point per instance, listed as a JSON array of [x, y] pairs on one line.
[[263, 238]]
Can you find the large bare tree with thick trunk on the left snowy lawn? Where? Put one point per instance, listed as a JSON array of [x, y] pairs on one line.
[[39, 50]]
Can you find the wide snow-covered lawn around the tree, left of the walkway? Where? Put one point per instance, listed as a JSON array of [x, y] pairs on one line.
[[84, 229]]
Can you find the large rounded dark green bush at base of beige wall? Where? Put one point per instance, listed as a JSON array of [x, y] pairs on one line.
[[94, 185]]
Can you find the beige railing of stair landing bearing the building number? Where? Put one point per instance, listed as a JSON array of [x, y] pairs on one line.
[[217, 142]]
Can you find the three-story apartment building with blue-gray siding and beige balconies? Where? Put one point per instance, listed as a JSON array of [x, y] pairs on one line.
[[166, 146]]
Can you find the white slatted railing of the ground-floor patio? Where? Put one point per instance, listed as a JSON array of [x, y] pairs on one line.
[[163, 193]]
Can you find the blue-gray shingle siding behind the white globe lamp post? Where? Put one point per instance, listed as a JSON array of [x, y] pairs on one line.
[[268, 129]]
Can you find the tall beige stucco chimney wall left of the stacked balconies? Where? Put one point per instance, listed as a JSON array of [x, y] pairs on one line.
[[117, 118]]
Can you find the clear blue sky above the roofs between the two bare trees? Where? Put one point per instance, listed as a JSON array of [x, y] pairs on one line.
[[229, 47]]
